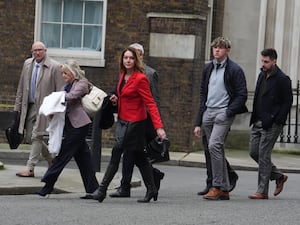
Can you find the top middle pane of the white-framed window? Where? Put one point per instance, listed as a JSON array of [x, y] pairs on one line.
[[73, 11]]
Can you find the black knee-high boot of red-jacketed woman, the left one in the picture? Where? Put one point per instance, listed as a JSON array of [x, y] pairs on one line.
[[108, 176]]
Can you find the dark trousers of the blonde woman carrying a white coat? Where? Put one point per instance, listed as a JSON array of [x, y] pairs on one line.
[[74, 145]]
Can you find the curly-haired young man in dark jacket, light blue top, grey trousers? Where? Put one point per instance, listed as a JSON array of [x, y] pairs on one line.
[[223, 95]]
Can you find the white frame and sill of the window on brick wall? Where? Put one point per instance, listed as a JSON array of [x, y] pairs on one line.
[[83, 57]]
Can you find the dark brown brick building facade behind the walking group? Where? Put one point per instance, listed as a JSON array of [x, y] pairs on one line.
[[126, 22]]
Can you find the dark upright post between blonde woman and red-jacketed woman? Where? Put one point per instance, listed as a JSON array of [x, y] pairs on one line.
[[96, 141]]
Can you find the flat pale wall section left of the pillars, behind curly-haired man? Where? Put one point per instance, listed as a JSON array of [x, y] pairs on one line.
[[241, 23]]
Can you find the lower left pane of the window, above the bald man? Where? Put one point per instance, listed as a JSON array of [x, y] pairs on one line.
[[51, 35]]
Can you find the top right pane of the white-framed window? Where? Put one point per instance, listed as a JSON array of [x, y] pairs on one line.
[[93, 12]]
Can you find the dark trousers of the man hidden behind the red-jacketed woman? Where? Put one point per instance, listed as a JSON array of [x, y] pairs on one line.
[[128, 159]]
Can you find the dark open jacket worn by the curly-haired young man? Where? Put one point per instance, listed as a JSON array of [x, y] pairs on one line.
[[235, 84]]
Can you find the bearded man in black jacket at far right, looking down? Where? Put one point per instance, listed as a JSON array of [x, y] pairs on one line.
[[272, 102]]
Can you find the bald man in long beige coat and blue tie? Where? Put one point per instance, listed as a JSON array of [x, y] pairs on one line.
[[40, 76]]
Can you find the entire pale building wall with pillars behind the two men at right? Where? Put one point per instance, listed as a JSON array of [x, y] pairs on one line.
[[258, 24]]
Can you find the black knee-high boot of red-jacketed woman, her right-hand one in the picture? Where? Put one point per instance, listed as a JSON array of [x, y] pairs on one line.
[[147, 175]]
